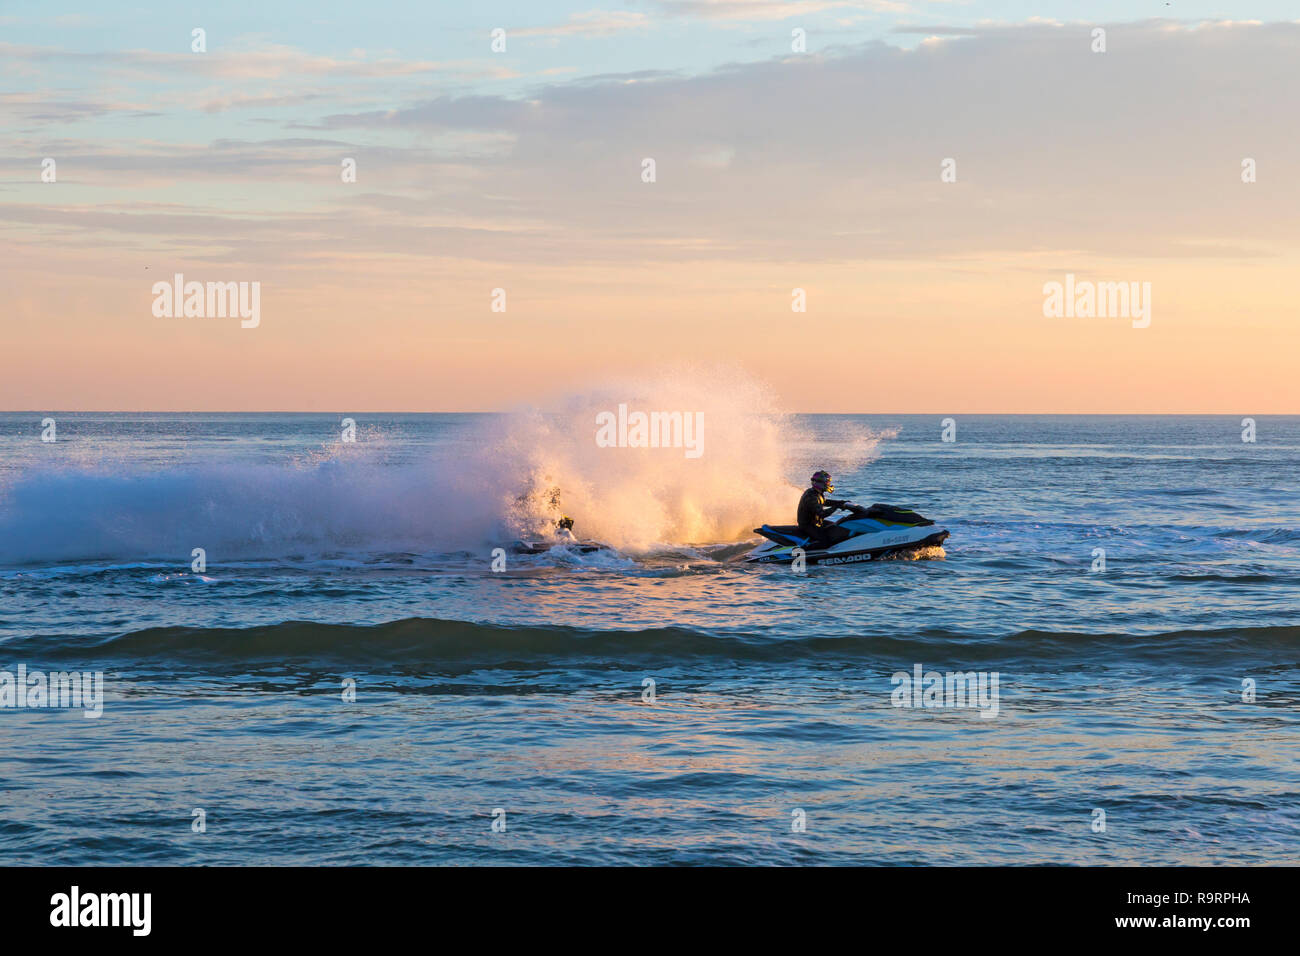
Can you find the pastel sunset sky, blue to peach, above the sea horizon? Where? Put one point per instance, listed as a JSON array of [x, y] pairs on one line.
[[920, 172]]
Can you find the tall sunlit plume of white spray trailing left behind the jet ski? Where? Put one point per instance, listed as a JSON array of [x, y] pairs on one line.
[[353, 498]]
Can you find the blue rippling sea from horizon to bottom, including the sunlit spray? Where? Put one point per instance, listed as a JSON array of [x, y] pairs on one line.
[[313, 651]]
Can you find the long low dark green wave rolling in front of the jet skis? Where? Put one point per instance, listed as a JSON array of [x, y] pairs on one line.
[[437, 644]]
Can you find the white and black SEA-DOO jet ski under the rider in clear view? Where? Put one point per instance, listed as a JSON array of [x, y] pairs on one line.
[[877, 533]]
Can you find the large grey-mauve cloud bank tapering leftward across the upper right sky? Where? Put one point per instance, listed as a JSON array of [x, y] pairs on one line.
[[1056, 146]]
